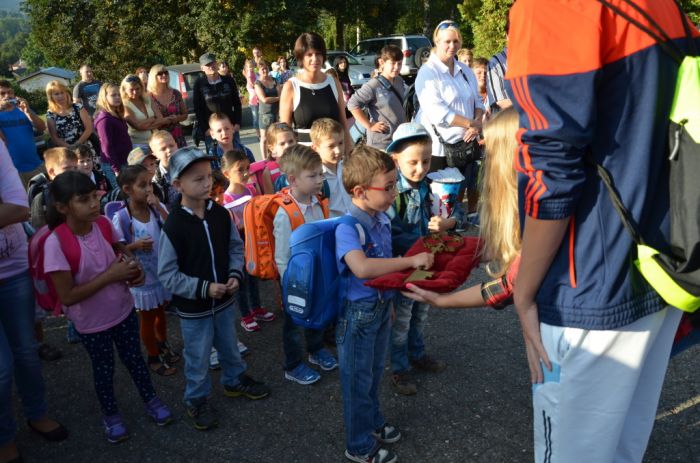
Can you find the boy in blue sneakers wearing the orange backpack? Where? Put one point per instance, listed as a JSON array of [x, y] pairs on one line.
[[304, 173]]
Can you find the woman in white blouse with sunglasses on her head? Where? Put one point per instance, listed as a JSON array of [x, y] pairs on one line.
[[448, 93]]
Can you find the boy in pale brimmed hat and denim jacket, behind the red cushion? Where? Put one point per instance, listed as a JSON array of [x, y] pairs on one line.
[[412, 218]]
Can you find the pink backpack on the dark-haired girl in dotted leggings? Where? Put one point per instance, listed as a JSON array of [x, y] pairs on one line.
[[44, 291]]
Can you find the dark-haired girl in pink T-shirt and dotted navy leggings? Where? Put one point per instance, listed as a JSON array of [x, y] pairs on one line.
[[97, 297]]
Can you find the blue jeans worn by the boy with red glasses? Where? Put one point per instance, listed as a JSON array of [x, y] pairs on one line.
[[362, 336]]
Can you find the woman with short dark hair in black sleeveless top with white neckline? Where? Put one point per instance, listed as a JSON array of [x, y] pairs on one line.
[[312, 94]]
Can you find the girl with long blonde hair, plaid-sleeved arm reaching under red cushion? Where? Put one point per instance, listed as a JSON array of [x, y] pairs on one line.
[[500, 225]]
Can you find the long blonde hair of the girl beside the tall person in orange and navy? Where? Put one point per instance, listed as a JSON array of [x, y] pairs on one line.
[[498, 209]]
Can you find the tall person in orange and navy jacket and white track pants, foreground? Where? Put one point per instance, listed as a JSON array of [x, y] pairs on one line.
[[589, 86]]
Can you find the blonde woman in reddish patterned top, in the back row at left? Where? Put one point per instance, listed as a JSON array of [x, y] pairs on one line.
[[168, 101]]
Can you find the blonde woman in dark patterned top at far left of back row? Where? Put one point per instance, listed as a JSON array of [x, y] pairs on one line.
[[69, 124]]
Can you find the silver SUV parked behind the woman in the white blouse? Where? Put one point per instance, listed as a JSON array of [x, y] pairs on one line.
[[415, 48]]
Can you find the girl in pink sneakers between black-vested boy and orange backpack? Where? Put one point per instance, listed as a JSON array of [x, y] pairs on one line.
[[235, 166]]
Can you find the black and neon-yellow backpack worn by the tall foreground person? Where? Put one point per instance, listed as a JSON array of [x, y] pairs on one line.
[[675, 275]]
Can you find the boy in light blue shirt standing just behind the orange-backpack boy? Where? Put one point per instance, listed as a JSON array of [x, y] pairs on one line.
[[328, 139]]
